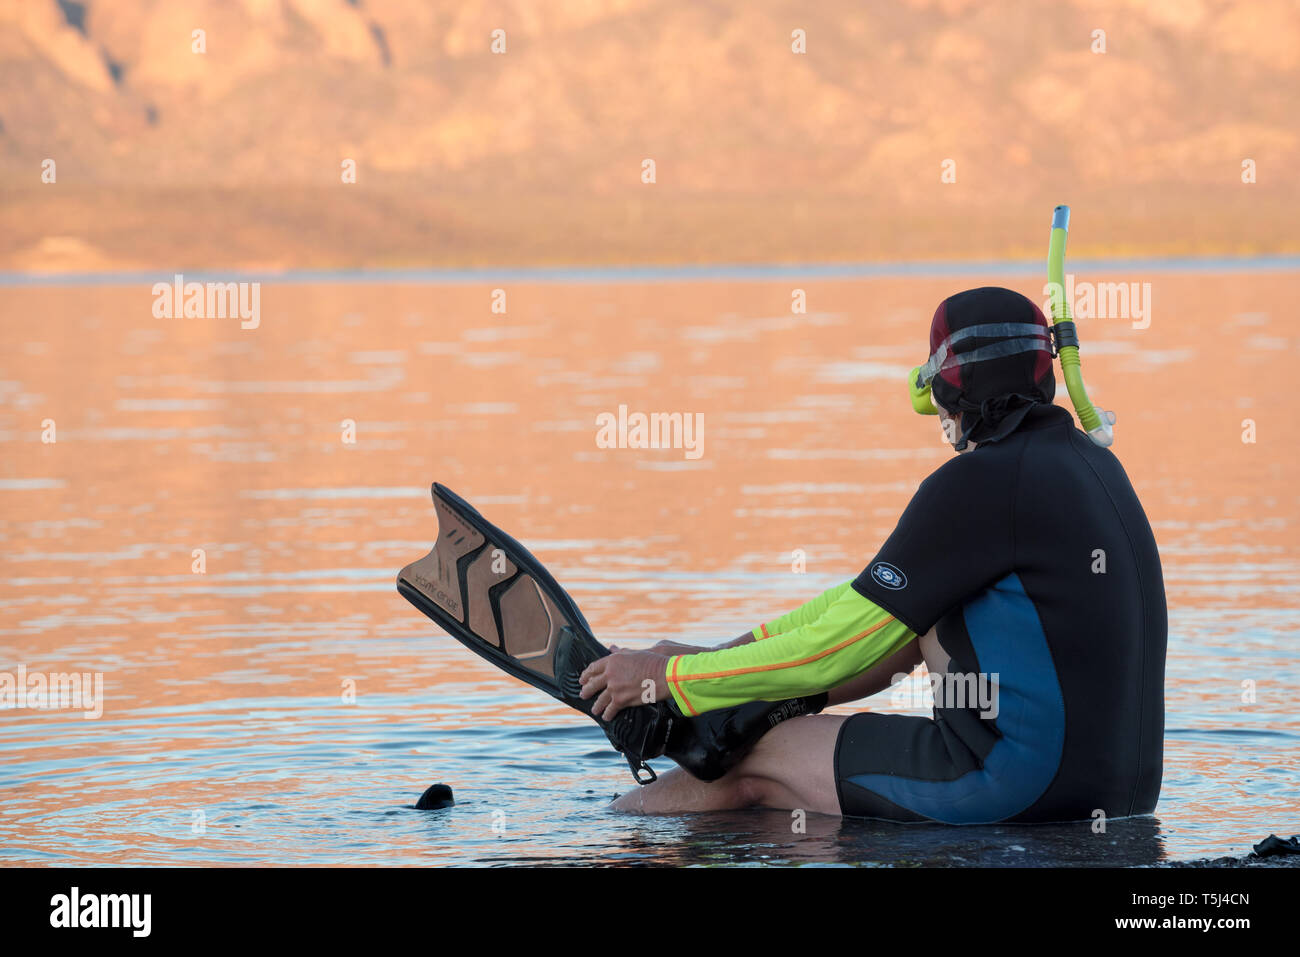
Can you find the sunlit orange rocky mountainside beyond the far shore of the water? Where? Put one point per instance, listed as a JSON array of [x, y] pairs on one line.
[[215, 132]]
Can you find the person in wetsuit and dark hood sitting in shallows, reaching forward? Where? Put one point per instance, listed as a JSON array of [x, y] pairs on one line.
[[1024, 574]]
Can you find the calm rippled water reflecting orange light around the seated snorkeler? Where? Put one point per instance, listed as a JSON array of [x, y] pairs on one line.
[[287, 707]]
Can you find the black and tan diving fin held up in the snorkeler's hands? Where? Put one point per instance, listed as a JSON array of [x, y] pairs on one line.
[[488, 592]]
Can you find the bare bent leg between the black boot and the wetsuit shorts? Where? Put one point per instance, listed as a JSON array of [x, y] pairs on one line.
[[792, 767]]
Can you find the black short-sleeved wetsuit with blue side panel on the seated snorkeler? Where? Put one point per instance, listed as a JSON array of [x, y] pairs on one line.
[[1035, 558]]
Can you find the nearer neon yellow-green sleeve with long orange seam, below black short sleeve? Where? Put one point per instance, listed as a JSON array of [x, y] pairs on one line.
[[850, 636]]
